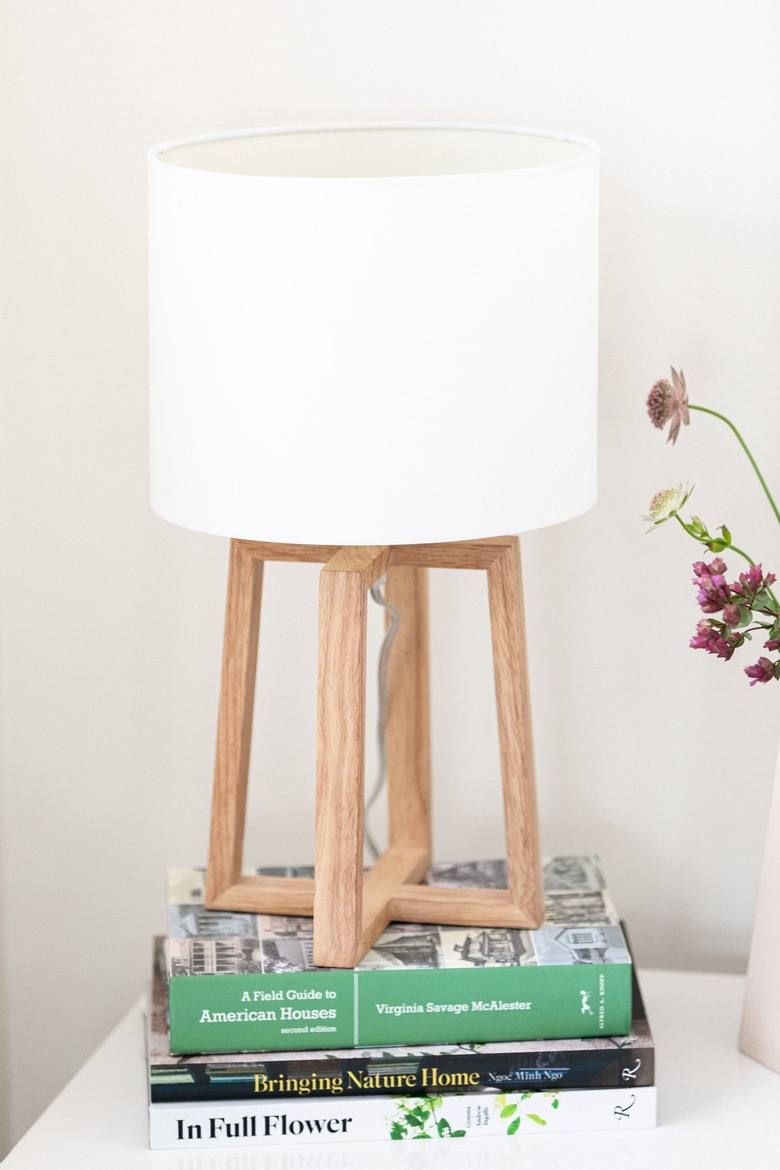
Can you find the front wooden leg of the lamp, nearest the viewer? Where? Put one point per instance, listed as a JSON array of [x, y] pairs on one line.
[[341, 753]]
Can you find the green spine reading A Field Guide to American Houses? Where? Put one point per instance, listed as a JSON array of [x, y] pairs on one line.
[[329, 1009]]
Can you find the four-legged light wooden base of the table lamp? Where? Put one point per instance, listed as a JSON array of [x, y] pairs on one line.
[[351, 909]]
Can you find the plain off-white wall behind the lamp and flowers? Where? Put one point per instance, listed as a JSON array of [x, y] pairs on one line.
[[657, 758]]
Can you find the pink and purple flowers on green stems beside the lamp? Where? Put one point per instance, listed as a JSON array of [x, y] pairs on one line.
[[746, 607]]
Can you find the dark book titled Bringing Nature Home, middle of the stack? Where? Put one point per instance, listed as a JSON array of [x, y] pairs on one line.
[[595, 1063]]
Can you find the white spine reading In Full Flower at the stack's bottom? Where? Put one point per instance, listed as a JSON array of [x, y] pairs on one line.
[[208, 1125]]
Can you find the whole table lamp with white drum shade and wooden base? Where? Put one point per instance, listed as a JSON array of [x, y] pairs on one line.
[[375, 348]]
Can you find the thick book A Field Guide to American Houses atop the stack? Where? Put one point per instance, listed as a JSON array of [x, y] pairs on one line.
[[247, 983]]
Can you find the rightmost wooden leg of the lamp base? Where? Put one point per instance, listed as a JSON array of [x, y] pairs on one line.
[[516, 745]]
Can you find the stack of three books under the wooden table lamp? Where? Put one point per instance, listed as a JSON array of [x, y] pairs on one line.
[[440, 1033]]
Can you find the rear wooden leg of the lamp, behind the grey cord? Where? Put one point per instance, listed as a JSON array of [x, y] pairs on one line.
[[409, 724]]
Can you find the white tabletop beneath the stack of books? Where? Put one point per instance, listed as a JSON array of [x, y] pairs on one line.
[[717, 1109]]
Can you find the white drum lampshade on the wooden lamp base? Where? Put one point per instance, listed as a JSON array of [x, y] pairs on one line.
[[374, 335]]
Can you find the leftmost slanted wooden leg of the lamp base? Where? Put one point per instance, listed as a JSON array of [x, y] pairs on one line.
[[234, 725]]
